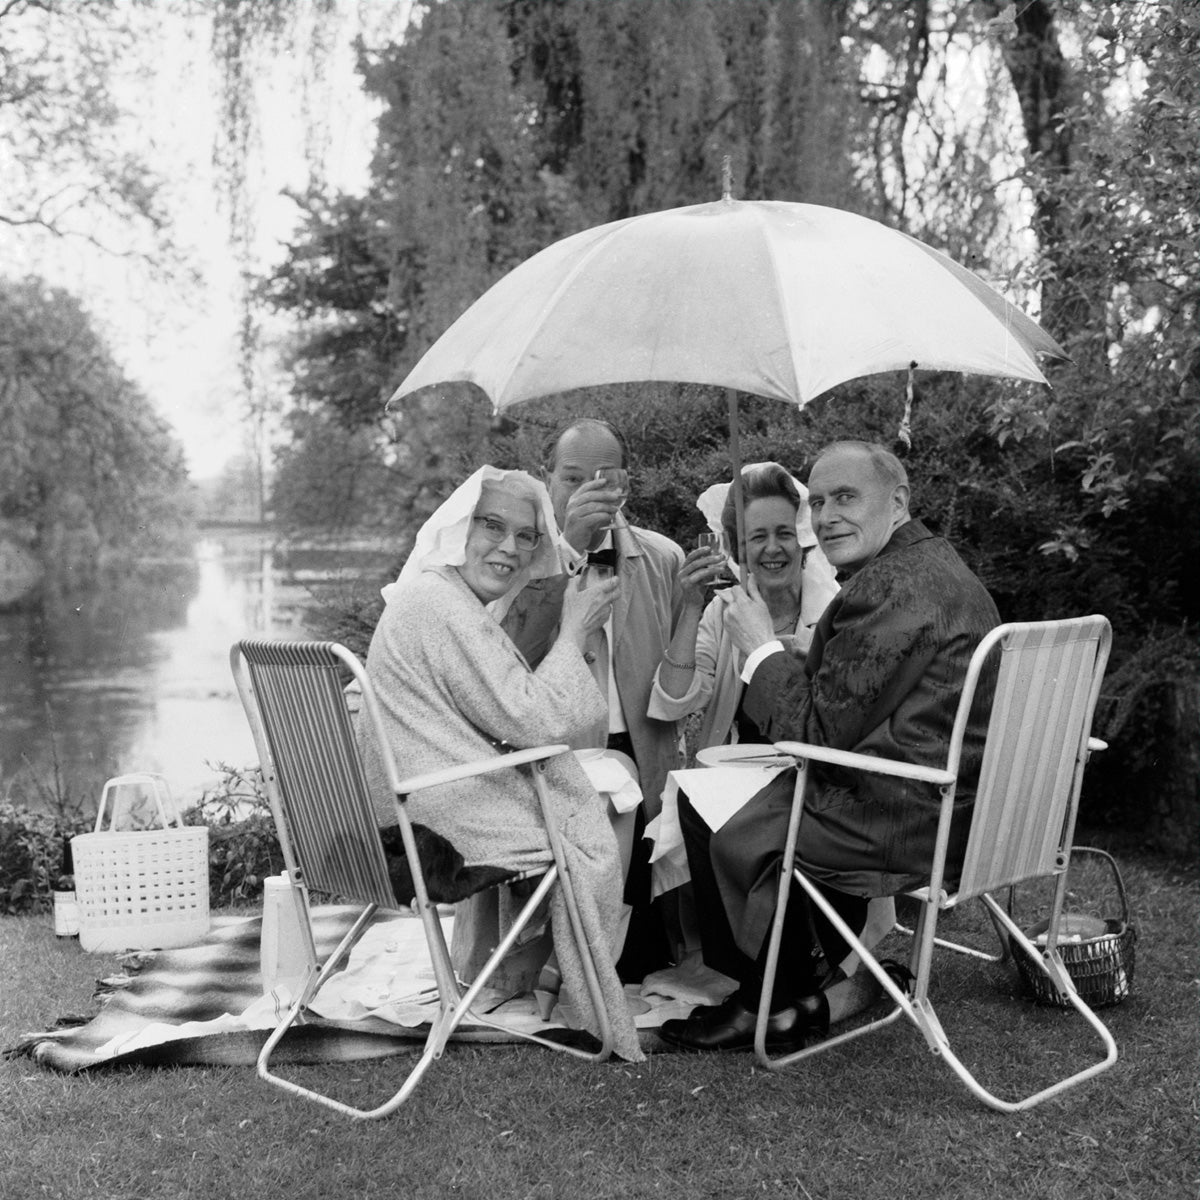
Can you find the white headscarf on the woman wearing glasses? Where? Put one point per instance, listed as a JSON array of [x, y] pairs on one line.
[[442, 541]]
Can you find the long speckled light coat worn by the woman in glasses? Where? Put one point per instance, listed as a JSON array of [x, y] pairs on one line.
[[452, 686]]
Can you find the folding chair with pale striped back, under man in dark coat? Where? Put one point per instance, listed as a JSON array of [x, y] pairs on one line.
[[1048, 681]]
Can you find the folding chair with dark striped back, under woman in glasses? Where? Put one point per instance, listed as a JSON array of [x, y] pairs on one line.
[[295, 701]]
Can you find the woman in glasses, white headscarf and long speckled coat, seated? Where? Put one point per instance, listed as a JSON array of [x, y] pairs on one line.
[[455, 689]]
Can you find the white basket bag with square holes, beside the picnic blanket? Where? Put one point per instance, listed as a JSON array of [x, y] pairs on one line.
[[142, 890]]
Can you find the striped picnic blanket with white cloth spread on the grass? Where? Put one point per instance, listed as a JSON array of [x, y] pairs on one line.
[[205, 1004]]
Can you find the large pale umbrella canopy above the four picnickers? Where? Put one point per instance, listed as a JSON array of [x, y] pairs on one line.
[[771, 298]]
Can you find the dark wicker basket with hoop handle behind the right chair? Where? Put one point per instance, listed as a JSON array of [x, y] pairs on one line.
[[1099, 952]]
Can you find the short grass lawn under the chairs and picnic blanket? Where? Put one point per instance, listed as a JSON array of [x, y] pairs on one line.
[[879, 1120]]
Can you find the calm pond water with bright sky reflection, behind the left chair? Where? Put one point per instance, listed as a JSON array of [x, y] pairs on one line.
[[135, 676]]
